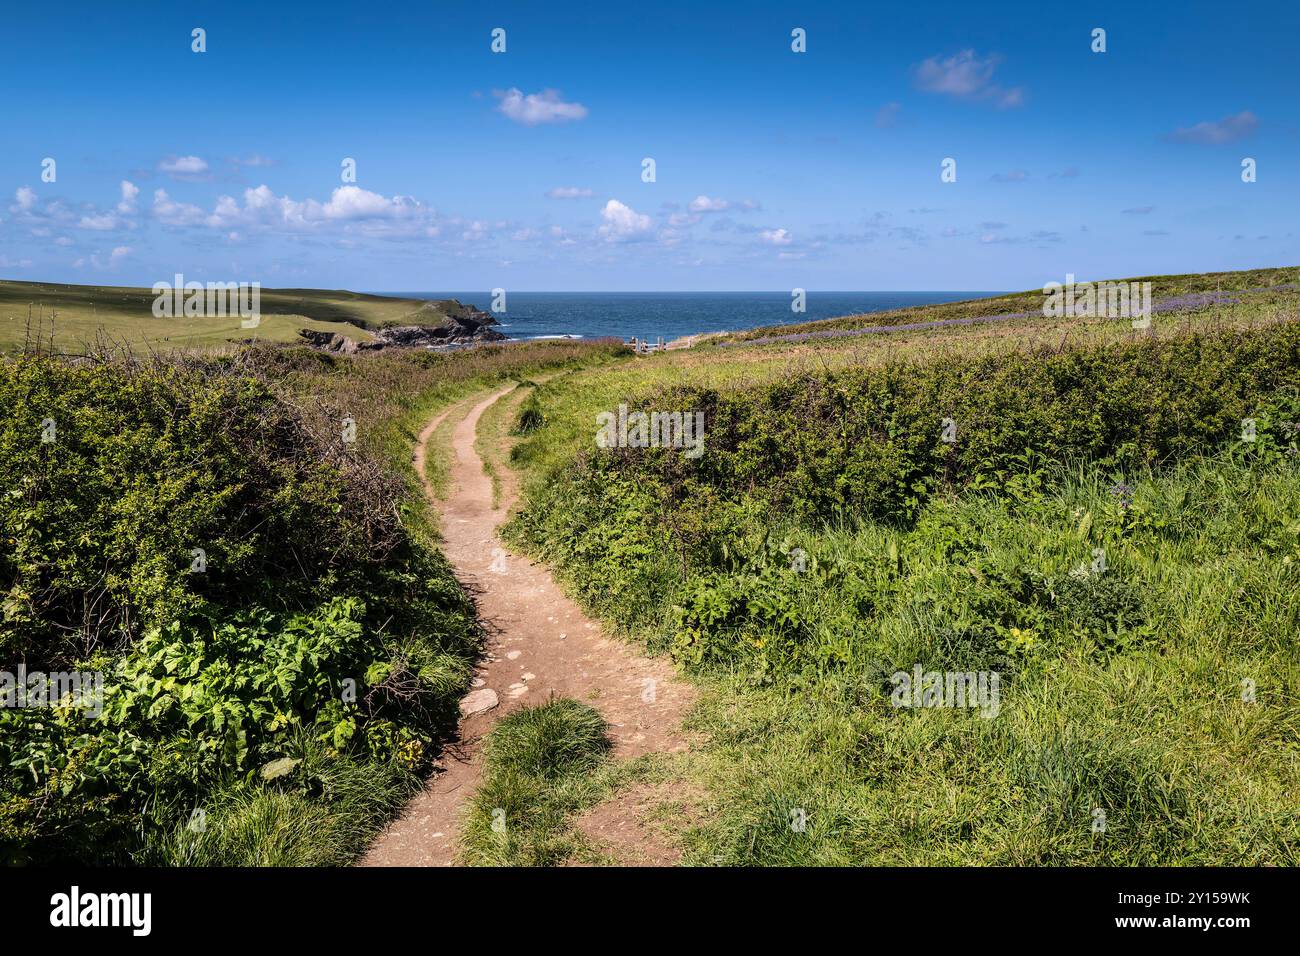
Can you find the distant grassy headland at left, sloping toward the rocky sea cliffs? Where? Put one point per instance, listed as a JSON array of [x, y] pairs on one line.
[[75, 318]]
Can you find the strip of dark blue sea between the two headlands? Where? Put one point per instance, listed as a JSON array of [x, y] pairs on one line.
[[649, 317]]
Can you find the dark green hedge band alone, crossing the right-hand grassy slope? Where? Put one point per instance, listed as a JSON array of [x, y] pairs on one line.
[[870, 442]]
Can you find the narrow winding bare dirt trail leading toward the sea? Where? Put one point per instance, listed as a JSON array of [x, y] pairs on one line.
[[539, 644]]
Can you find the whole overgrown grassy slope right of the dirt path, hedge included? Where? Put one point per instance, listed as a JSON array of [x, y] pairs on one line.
[[1110, 546]]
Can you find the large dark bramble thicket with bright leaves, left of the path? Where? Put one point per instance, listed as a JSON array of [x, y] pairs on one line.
[[319, 625]]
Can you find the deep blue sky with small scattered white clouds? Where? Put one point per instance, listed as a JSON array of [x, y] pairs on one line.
[[525, 170]]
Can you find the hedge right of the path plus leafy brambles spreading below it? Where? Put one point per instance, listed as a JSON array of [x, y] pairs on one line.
[[647, 533]]
